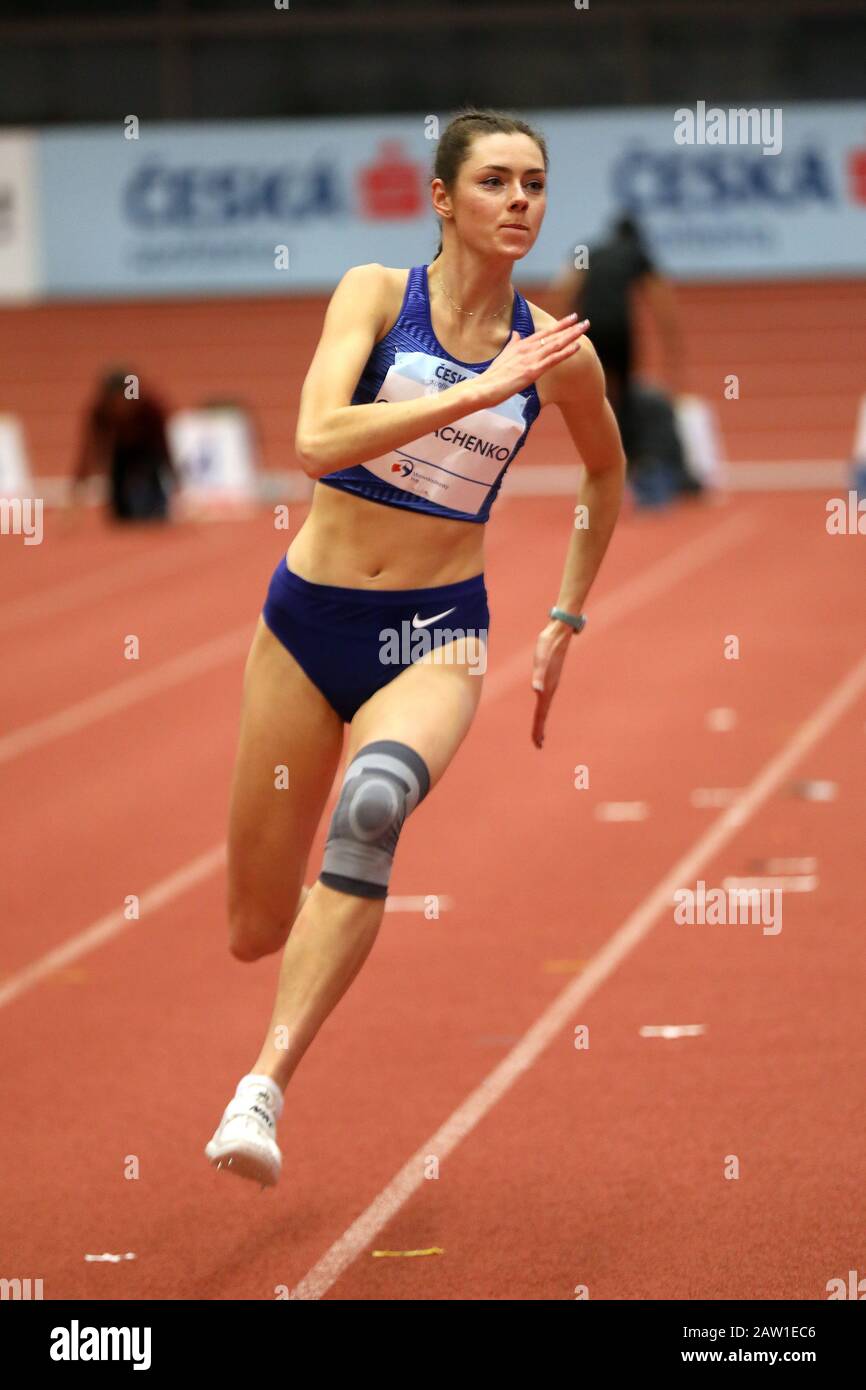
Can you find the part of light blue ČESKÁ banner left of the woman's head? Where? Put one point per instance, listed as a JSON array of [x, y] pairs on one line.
[[254, 206]]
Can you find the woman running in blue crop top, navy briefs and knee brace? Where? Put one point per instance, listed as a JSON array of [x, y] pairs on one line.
[[394, 544]]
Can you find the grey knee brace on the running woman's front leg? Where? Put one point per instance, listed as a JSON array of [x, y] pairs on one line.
[[384, 783]]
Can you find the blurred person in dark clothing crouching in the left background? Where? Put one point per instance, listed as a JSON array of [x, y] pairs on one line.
[[124, 439]]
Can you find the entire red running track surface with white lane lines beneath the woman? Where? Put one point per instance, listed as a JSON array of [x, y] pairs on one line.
[[600, 1167]]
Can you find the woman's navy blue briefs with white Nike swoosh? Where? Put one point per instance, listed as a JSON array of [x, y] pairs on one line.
[[351, 643]]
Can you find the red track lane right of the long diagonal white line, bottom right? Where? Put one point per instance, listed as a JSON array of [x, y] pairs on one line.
[[605, 1168]]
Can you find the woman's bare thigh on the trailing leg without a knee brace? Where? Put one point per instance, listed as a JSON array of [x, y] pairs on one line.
[[288, 753]]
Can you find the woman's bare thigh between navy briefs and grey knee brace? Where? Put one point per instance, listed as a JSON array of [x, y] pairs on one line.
[[430, 705]]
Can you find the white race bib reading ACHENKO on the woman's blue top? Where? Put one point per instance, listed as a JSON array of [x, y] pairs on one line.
[[457, 465]]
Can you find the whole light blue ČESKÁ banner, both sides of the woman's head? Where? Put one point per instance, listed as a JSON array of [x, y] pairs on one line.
[[287, 206]]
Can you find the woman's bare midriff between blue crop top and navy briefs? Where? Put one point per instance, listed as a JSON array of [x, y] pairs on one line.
[[358, 544]]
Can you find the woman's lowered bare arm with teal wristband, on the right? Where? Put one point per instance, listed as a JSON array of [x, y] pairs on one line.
[[579, 391]]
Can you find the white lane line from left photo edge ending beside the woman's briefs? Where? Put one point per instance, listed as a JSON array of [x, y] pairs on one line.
[[127, 693]]
